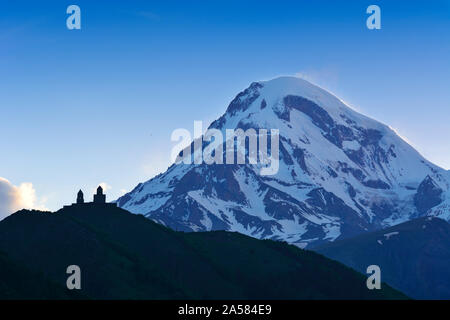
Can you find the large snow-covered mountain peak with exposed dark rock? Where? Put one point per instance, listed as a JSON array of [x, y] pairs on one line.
[[340, 174]]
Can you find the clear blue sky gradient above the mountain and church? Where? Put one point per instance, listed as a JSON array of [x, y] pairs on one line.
[[81, 107]]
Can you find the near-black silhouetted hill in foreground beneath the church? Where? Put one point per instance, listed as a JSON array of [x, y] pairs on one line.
[[127, 256]]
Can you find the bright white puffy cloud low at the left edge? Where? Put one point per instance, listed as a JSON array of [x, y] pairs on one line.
[[14, 198]]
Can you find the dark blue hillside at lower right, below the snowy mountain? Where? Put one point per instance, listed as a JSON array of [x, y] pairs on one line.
[[414, 256]]
